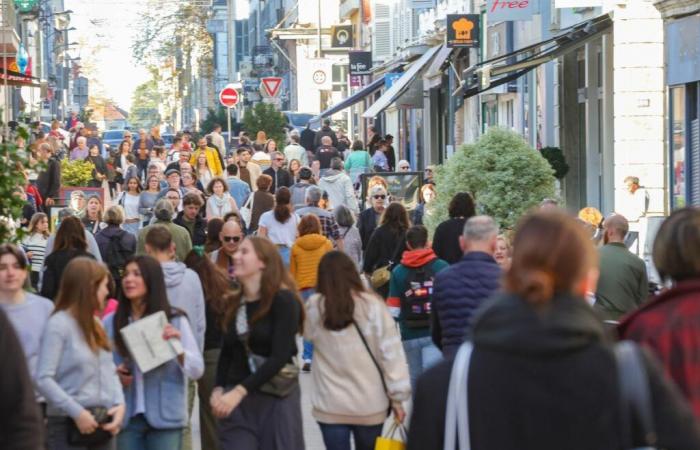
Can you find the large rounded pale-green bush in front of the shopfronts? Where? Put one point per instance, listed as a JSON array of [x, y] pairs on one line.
[[504, 174]]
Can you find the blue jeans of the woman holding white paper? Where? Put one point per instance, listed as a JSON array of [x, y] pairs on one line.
[[139, 435]]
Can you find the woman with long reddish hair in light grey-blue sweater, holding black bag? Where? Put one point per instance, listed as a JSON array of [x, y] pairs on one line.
[[75, 371]]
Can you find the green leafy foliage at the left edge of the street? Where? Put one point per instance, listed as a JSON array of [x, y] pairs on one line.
[[10, 179]]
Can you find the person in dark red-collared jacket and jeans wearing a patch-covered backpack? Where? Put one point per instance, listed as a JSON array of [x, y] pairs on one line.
[[410, 298]]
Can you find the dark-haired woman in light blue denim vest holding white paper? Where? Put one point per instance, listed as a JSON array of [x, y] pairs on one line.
[[156, 404]]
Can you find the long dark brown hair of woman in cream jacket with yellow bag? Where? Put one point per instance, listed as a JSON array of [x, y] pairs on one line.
[[338, 281]]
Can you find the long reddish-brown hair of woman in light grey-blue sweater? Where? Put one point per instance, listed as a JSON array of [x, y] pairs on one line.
[[77, 294]]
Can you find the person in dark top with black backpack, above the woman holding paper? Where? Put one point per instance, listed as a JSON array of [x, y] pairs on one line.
[[117, 246]]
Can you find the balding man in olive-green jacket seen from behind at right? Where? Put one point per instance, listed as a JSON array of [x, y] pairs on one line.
[[623, 284]]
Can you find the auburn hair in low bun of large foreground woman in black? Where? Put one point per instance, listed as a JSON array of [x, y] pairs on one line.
[[551, 254]]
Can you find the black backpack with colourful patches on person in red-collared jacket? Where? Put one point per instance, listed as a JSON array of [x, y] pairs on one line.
[[416, 301]]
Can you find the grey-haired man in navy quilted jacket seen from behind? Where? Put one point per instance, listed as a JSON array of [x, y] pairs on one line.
[[464, 286]]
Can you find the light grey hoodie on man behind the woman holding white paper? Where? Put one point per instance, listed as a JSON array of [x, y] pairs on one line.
[[184, 291]]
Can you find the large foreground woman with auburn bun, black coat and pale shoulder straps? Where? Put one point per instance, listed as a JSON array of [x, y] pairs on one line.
[[542, 374]]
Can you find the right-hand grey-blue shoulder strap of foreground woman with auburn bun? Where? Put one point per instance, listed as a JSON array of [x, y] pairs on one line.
[[635, 392]]
